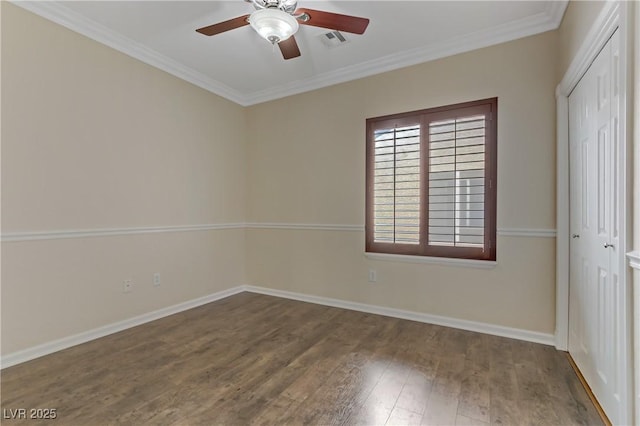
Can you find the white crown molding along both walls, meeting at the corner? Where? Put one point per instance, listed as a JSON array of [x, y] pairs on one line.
[[55, 11]]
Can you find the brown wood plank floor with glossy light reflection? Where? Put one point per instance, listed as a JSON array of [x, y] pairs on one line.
[[261, 360]]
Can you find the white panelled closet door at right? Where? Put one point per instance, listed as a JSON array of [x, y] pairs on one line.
[[596, 308]]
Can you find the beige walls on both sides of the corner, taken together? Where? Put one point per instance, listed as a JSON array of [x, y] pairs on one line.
[[93, 139]]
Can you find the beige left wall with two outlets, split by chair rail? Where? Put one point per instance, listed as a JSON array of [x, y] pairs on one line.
[[93, 139]]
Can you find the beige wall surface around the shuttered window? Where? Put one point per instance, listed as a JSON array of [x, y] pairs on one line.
[[306, 165]]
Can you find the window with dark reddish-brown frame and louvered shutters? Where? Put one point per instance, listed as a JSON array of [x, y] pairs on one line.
[[431, 182]]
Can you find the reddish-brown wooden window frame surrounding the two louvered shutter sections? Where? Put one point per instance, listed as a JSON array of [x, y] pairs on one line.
[[424, 117]]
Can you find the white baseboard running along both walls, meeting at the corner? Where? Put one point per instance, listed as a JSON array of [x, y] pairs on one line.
[[67, 342]]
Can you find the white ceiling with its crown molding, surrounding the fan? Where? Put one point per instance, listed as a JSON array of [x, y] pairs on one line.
[[242, 67]]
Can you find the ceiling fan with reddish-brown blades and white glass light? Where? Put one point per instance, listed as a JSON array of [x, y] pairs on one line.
[[278, 20]]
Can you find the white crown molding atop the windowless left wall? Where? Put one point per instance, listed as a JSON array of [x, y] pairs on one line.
[[56, 12]]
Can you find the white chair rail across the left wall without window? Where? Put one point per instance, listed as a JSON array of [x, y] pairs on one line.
[[110, 232]]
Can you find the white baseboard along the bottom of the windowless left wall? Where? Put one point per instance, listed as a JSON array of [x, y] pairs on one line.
[[86, 336]]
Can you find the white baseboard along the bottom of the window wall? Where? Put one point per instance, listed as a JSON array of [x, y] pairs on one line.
[[479, 327]]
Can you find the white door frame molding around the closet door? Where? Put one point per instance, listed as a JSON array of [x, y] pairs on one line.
[[614, 15]]
